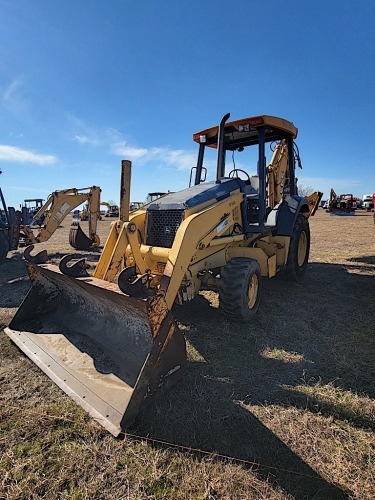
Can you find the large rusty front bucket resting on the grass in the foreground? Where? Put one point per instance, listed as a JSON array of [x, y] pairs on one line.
[[111, 353]]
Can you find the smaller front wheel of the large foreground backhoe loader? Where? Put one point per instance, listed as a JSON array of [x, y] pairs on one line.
[[239, 292]]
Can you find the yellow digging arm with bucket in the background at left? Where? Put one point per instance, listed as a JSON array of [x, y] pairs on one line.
[[58, 205]]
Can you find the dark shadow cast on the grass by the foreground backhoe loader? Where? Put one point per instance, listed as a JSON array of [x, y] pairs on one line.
[[325, 322]]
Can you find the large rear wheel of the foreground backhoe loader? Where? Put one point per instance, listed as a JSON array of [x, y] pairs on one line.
[[299, 250]]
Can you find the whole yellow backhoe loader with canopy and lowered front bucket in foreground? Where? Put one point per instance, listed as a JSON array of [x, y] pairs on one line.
[[109, 339]]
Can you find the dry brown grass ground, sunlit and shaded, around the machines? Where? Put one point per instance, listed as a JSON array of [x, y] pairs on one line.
[[281, 408]]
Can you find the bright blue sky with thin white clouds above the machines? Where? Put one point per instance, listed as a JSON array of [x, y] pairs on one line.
[[86, 83]]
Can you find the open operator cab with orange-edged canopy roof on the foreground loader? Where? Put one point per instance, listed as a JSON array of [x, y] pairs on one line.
[[236, 137]]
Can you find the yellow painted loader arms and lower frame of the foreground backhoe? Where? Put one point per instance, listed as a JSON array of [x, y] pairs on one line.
[[203, 241]]
